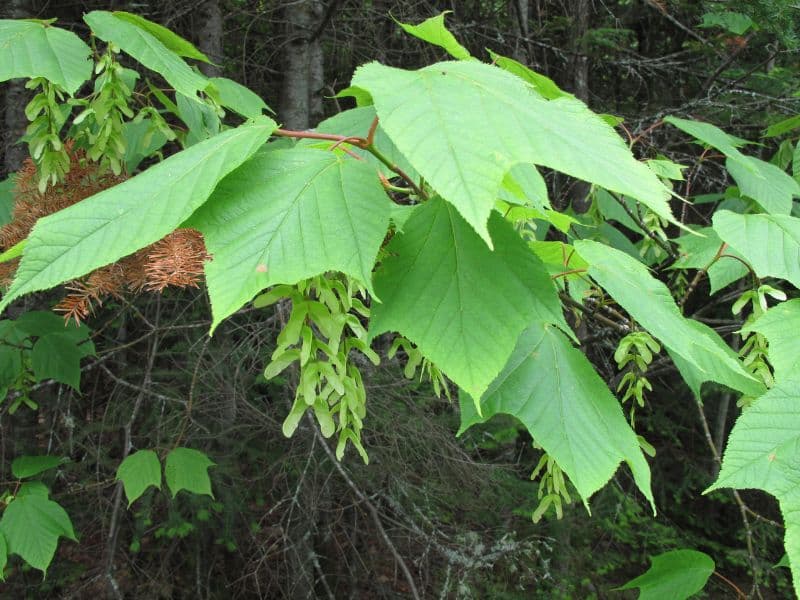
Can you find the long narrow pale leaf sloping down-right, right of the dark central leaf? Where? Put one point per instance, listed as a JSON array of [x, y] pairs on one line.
[[650, 303]]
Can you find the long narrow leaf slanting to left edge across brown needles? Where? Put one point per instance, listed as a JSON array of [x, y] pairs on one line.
[[120, 220]]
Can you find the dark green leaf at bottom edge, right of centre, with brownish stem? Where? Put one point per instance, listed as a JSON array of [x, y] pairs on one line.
[[673, 575]]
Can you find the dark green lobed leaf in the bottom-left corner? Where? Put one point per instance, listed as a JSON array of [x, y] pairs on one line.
[[32, 524]]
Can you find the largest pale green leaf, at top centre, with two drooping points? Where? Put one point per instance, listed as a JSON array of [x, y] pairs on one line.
[[463, 125]]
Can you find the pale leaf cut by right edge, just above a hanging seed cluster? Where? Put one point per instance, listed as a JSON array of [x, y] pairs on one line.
[[770, 243]]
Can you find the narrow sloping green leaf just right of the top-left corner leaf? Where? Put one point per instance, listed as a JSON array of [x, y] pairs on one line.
[[147, 49]]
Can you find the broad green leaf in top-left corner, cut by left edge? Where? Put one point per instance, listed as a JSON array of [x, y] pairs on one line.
[[34, 49]]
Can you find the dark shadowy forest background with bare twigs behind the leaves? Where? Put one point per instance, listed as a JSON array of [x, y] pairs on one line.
[[286, 522]]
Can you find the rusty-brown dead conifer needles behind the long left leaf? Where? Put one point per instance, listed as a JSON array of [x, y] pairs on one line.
[[174, 261]]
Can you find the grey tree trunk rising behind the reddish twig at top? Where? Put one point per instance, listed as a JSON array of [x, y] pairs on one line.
[[301, 101]]
